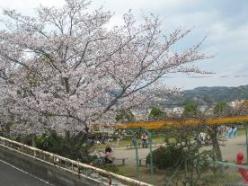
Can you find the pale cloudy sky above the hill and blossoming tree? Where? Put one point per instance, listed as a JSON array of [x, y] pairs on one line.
[[224, 22]]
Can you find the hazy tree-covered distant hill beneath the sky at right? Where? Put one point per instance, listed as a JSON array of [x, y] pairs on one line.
[[208, 95]]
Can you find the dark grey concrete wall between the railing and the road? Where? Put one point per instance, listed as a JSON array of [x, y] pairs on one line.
[[46, 171]]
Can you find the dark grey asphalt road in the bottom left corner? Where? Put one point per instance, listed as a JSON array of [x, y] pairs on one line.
[[12, 176]]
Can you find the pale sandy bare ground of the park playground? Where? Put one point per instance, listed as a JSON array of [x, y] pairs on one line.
[[229, 150]]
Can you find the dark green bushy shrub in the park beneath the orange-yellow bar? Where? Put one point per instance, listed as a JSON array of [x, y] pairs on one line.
[[183, 158]]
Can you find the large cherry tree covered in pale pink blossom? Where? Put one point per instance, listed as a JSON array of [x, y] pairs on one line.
[[64, 68]]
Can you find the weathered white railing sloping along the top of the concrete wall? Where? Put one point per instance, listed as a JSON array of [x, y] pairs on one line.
[[75, 167]]
